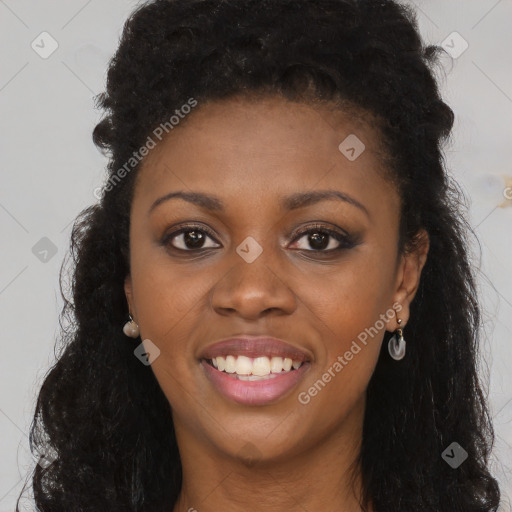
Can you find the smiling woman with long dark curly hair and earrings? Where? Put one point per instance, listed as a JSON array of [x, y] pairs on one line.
[[272, 304]]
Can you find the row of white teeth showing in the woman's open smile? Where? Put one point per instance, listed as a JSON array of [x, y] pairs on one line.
[[254, 367]]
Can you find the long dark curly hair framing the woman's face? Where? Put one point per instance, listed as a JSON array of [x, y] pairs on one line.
[[104, 414]]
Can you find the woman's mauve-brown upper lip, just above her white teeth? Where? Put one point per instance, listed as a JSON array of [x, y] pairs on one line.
[[255, 347]]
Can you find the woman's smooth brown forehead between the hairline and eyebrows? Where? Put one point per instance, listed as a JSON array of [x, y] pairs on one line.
[[266, 148]]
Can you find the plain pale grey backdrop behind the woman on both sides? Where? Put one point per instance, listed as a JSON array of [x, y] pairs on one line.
[[50, 168]]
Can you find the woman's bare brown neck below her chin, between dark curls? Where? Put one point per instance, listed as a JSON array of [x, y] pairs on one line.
[[324, 476]]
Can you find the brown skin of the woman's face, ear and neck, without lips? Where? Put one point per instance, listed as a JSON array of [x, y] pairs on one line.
[[250, 155]]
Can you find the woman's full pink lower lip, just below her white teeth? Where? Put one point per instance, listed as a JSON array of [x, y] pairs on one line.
[[258, 392]]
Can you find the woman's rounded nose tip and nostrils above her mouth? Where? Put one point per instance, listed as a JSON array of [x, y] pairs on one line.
[[251, 290]]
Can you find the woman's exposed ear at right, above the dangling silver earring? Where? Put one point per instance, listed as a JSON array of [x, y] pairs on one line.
[[408, 279]]
